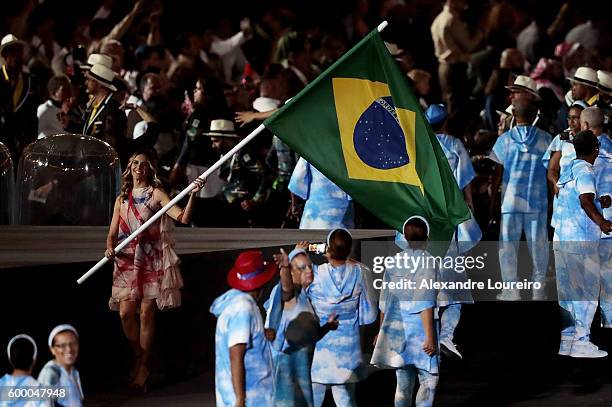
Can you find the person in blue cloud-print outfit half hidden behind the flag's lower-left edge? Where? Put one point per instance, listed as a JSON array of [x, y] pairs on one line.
[[326, 206]]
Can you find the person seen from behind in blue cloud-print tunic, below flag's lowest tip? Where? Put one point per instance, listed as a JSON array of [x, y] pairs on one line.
[[407, 339]]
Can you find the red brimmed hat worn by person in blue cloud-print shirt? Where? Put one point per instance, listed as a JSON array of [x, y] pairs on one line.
[[250, 272]]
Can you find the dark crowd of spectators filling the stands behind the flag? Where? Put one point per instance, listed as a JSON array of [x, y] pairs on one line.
[[124, 80]]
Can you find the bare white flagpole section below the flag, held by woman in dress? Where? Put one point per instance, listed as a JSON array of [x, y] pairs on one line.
[[175, 200]]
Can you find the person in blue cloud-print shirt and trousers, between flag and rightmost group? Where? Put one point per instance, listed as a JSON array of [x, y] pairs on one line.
[[518, 153]]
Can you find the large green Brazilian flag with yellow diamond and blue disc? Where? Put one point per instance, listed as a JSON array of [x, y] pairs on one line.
[[360, 124]]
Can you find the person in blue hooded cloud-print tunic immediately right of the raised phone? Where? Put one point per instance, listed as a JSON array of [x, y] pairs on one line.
[[339, 287]]
